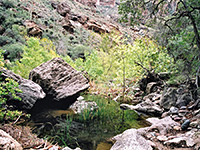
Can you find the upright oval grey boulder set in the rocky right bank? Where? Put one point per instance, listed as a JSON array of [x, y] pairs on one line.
[[168, 98]]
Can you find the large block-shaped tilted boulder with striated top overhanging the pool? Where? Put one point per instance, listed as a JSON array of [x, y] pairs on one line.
[[60, 81]]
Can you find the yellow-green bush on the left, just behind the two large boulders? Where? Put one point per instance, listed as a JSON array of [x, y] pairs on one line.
[[35, 53]]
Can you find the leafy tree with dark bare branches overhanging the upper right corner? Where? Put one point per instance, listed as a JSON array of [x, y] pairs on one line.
[[177, 23]]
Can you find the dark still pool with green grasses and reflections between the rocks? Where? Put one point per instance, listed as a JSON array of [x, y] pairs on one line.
[[90, 130]]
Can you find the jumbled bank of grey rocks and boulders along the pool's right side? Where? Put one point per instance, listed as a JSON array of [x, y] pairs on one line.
[[178, 106]]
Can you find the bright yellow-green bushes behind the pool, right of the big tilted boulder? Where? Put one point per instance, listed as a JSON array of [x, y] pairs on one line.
[[115, 54]]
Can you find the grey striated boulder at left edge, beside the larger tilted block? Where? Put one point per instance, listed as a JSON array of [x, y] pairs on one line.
[[31, 92]]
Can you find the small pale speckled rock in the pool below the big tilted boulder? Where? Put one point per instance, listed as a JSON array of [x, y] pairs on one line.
[[80, 105]]
